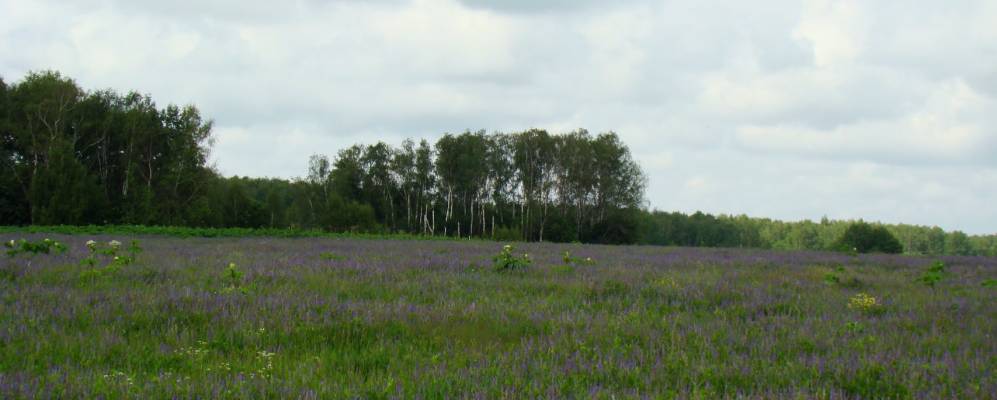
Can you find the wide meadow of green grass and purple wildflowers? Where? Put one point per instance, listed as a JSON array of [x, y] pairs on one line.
[[345, 318]]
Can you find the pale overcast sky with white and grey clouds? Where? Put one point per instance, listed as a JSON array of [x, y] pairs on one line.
[[880, 110]]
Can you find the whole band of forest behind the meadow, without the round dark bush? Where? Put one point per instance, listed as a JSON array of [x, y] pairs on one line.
[[75, 157]]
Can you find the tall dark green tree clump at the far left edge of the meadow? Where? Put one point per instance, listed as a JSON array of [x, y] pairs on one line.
[[77, 157]]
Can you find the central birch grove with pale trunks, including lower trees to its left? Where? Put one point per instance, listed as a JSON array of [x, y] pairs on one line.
[[529, 185]]
